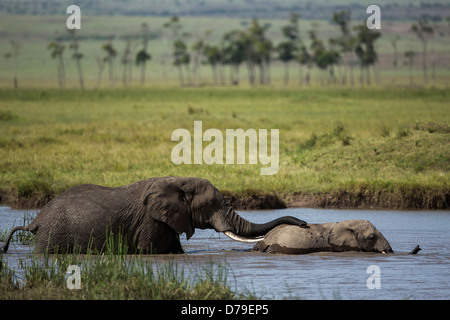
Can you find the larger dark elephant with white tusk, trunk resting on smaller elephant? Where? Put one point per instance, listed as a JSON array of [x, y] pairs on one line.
[[149, 215]]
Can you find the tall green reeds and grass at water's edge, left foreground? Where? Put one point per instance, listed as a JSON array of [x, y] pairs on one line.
[[115, 275]]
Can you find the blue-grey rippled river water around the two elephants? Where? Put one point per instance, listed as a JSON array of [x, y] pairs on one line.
[[319, 275]]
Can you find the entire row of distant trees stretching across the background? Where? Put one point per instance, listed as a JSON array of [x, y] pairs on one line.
[[251, 48]]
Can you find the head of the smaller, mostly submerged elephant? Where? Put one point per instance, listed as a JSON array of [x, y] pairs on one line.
[[357, 235]]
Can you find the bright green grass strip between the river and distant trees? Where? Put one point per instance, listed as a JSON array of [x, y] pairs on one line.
[[376, 147]]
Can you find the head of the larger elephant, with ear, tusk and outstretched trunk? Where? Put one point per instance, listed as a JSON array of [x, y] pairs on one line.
[[188, 203]]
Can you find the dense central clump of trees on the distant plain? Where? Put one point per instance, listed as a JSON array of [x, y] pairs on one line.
[[254, 50]]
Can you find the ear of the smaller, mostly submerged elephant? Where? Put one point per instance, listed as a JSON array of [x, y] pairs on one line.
[[343, 237]]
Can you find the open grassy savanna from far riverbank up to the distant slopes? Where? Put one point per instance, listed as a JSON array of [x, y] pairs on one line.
[[383, 144]]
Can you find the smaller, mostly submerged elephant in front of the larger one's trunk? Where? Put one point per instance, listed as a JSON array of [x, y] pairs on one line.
[[348, 235]]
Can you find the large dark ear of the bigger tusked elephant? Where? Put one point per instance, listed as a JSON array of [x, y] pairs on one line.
[[168, 201]]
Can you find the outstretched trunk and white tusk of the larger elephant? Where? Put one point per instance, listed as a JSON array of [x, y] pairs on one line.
[[239, 229]]
